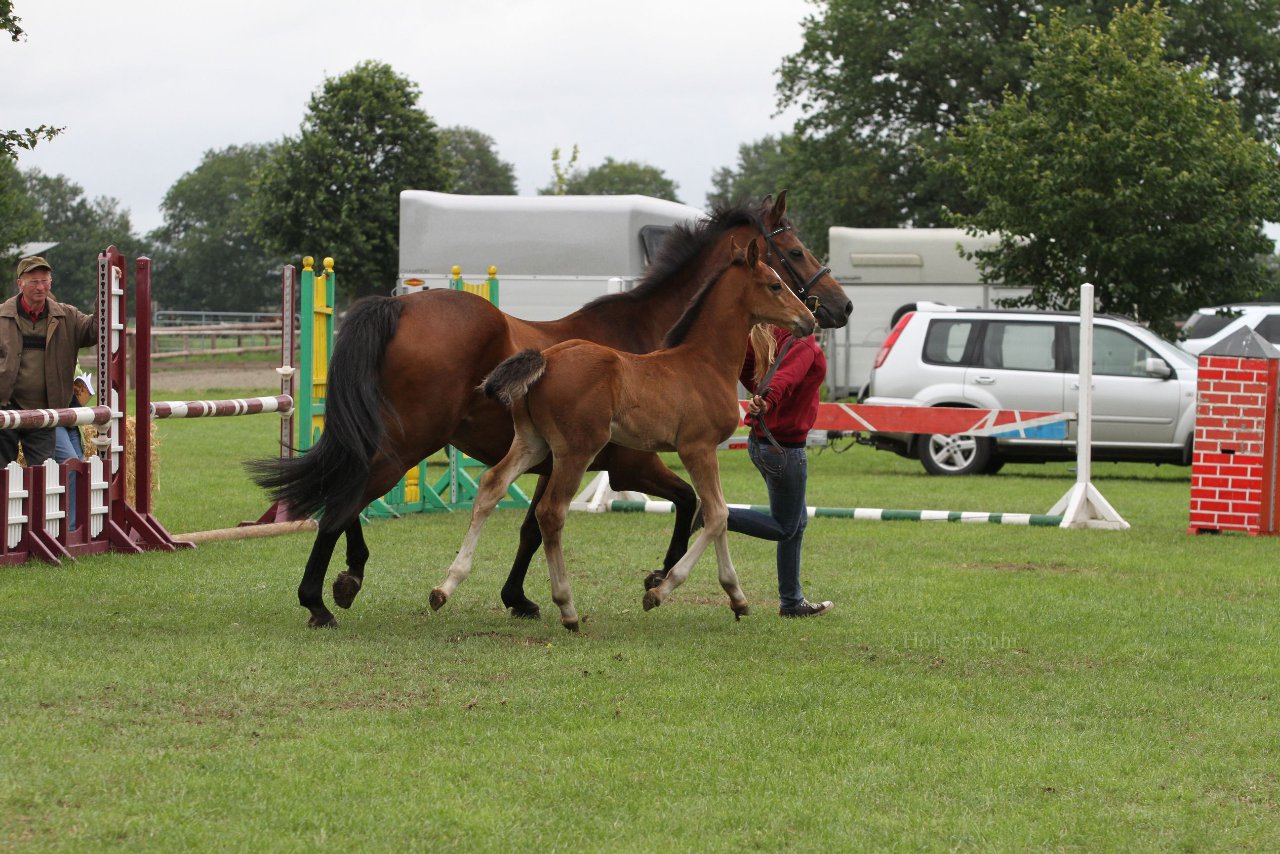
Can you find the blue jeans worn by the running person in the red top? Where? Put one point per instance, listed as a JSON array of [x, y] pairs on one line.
[[785, 477]]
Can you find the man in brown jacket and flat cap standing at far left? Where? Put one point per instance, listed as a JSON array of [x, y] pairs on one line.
[[39, 342]]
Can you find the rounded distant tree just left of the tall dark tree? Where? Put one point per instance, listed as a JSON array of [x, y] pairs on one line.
[[205, 255]]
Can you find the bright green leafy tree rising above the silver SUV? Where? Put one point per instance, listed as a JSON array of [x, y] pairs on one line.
[[1122, 170]]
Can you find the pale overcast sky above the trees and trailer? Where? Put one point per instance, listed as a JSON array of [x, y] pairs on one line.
[[147, 88]]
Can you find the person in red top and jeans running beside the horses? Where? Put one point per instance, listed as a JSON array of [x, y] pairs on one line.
[[788, 408]]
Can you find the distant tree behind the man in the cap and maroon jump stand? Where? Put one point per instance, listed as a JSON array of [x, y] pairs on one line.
[[83, 230]]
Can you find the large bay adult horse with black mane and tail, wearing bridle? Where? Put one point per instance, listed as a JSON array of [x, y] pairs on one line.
[[404, 383]]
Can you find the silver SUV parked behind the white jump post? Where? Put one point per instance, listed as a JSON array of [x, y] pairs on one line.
[[1144, 386]]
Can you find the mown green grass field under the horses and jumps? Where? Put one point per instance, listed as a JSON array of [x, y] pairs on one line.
[[979, 687]]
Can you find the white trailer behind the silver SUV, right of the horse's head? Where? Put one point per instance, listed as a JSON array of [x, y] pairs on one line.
[[885, 270]]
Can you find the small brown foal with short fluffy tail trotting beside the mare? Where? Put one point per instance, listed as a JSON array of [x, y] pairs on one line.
[[573, 400]]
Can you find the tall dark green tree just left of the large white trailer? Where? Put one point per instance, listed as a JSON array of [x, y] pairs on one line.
[[335, 190]]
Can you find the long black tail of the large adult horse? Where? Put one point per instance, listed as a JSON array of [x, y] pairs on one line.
[[333, 474]]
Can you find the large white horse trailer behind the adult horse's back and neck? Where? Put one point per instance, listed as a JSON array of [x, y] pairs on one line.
[[554, 253]]
